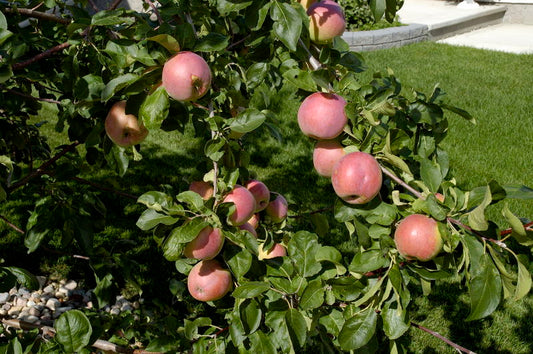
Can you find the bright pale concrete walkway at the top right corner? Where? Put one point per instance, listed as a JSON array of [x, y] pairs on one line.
[[507, 37]]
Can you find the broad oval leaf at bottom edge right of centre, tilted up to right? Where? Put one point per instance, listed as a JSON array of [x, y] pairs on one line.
[[358, 330]]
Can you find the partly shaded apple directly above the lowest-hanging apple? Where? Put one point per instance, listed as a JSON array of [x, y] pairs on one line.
[[206, 245]]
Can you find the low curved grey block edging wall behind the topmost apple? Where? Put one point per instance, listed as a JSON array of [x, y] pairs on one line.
[[391, 37]]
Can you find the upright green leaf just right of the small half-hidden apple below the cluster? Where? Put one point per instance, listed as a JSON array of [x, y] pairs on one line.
[[303, 247]]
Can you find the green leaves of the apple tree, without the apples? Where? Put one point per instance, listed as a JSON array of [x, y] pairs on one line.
[[259, 53]]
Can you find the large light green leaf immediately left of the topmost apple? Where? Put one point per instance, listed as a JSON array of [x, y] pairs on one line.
[[287, 25]]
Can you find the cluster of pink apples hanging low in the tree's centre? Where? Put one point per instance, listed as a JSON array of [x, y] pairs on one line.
[[208, 280]]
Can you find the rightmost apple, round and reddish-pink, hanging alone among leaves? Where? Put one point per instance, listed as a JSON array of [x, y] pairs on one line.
[[417, 237]]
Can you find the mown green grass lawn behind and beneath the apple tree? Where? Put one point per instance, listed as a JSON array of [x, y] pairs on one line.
[[493, 87]]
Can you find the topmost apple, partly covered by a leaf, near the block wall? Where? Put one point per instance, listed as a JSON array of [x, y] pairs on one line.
[[326, 21]]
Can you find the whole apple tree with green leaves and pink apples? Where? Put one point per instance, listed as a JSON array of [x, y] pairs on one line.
[[246, 274]]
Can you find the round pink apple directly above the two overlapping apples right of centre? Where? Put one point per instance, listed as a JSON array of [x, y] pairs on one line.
[[321, 115]]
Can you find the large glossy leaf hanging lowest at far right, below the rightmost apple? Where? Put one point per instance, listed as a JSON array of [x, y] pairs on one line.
[[485, 289]]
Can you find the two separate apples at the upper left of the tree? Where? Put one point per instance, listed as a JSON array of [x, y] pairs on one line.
[[186, 77]]
